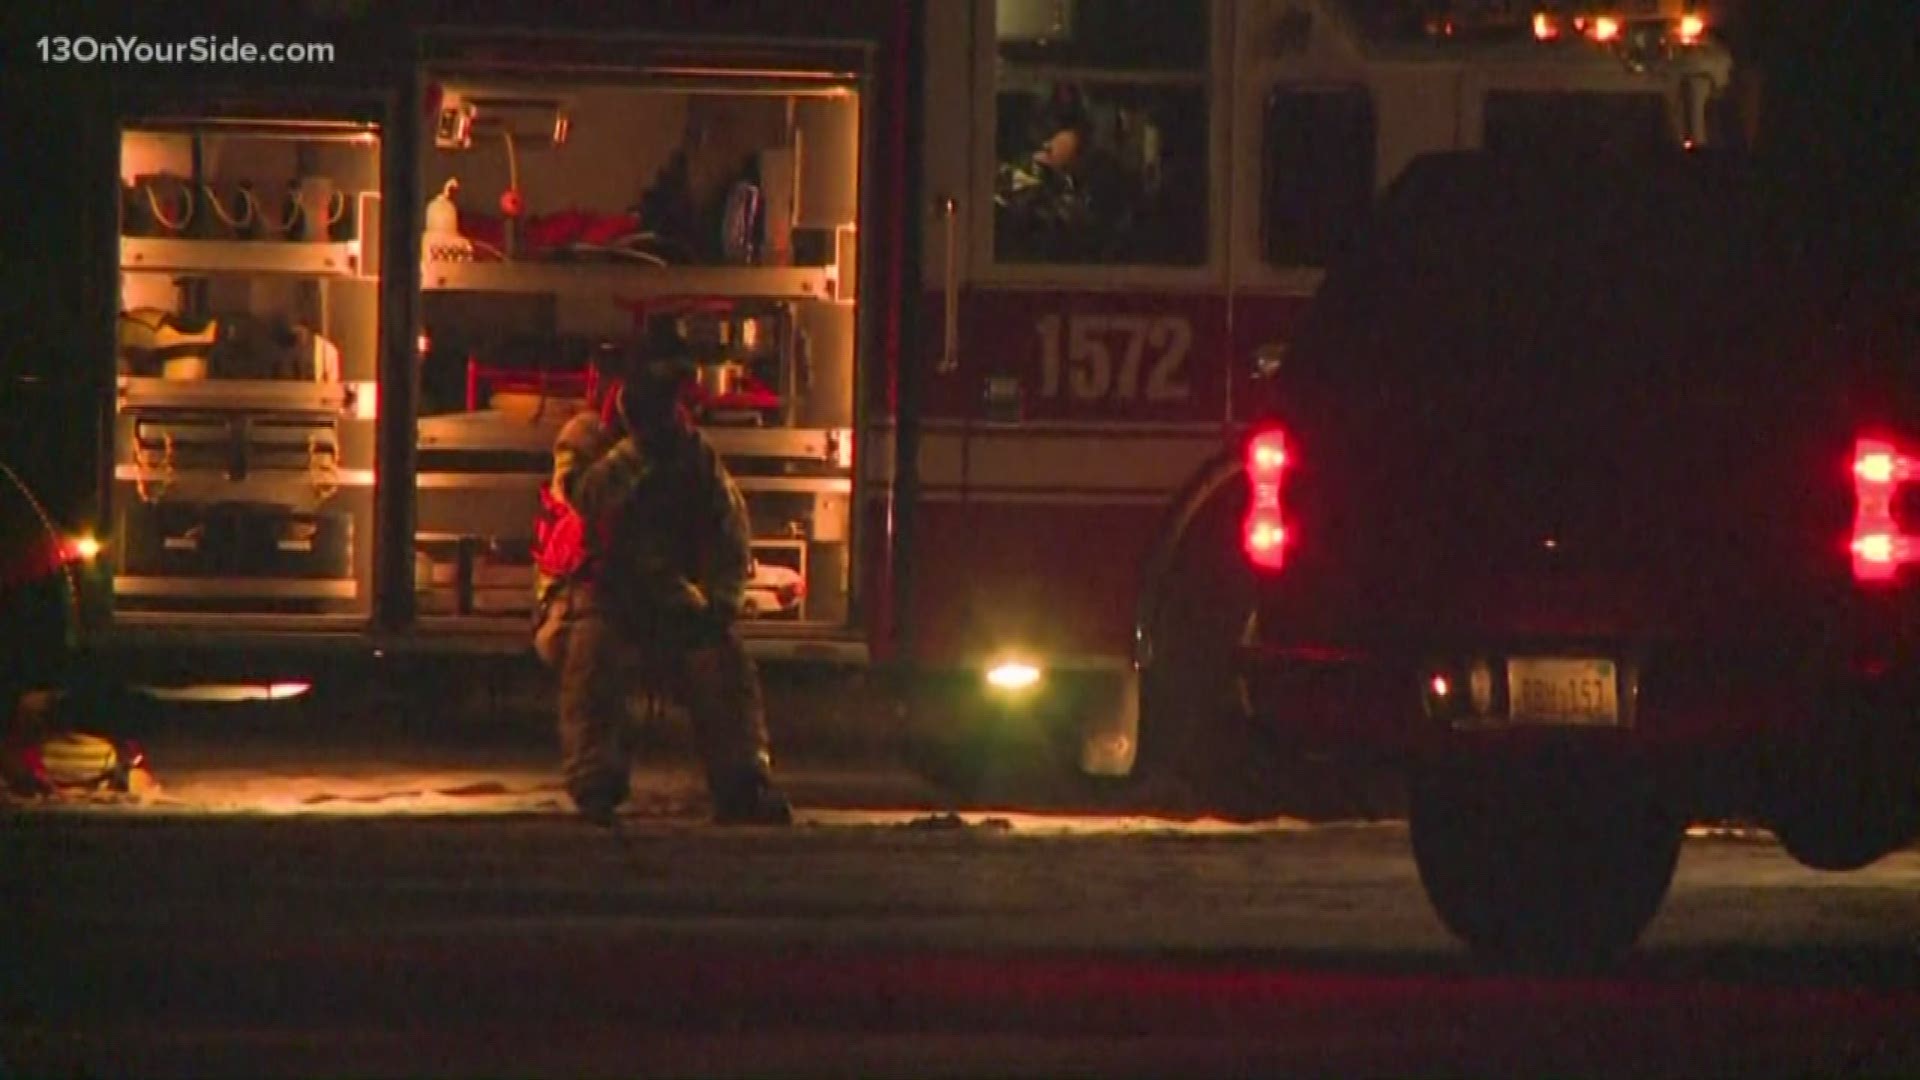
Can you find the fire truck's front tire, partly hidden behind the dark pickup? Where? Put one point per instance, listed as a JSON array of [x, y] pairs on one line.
[[1199, 739]]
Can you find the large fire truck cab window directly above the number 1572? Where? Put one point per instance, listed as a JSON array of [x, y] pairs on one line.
[[1101, 134]]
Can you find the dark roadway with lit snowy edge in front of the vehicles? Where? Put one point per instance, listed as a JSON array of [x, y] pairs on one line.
[[400, 906]]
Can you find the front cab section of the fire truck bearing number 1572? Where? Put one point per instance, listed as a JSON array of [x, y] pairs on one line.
[[1134, 207]]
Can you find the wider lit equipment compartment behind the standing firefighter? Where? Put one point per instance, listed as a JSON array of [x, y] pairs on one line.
[[565, 214]]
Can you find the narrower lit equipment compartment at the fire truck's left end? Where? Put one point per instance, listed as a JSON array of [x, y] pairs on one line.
[[247, 370]]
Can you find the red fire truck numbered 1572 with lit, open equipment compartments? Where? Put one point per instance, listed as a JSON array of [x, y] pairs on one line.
[[980, 293]]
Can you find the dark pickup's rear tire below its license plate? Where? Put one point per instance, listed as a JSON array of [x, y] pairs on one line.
[[1556, 862]]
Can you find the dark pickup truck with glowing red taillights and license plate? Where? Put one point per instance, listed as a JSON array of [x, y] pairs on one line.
[[1591, 493]]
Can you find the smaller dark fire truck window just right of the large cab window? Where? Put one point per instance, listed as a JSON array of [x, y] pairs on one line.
[[1320, 159]]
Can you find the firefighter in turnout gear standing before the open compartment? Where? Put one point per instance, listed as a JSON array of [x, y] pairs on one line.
[[654, 601]]
